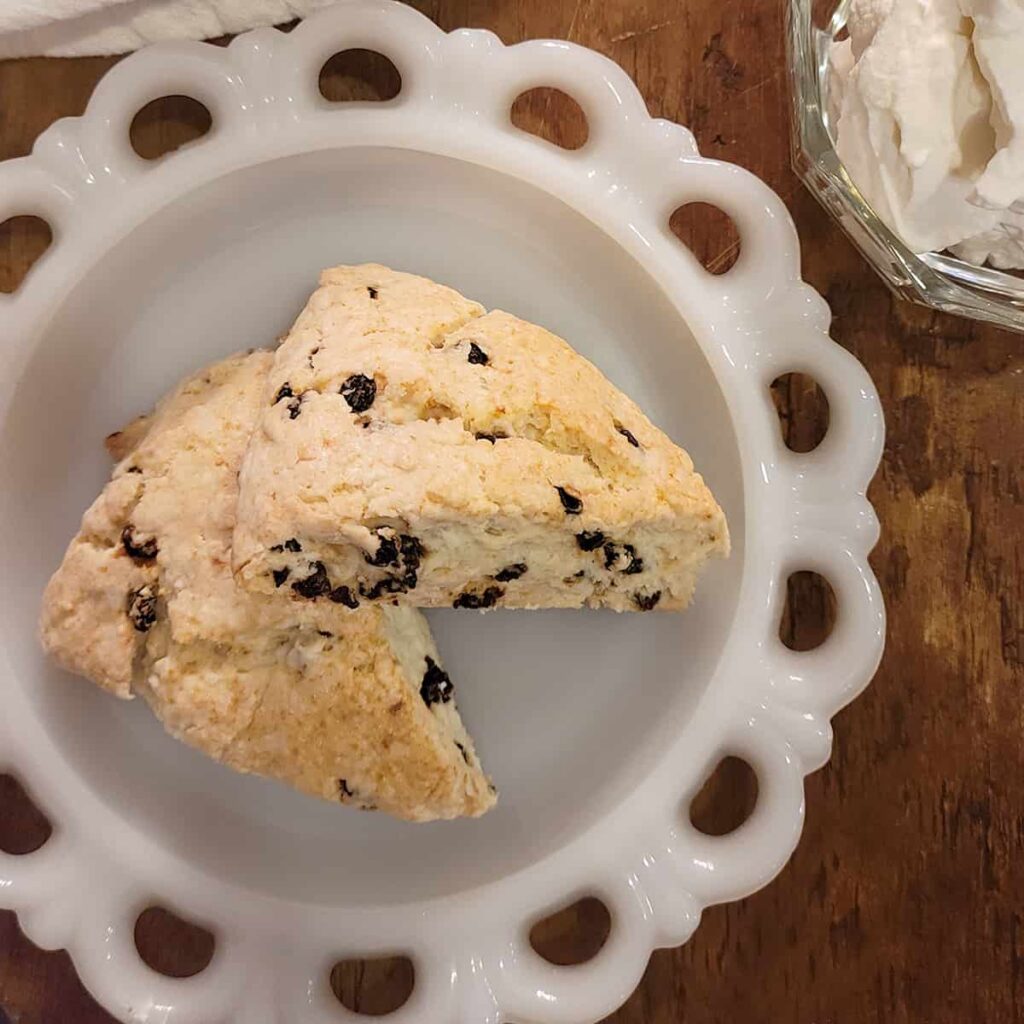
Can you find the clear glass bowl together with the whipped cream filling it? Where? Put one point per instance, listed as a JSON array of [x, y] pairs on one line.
[[908, 120]]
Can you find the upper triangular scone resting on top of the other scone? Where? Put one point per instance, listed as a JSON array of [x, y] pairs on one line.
[[414, 449]]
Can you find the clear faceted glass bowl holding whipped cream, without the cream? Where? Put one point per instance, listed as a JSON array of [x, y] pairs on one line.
[[937, 280]]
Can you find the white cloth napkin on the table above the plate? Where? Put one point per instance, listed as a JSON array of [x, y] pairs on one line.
[[78, 28]]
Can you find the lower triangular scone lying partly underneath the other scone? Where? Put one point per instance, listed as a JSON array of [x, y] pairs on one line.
[[349, 706]]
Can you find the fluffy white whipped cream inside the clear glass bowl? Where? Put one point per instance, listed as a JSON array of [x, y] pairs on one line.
[[927, 101]]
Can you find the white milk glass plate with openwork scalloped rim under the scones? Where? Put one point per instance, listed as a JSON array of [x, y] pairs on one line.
[[599, 729]]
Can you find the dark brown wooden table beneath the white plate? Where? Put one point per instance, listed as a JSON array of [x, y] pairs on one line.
[[906, 899]]
